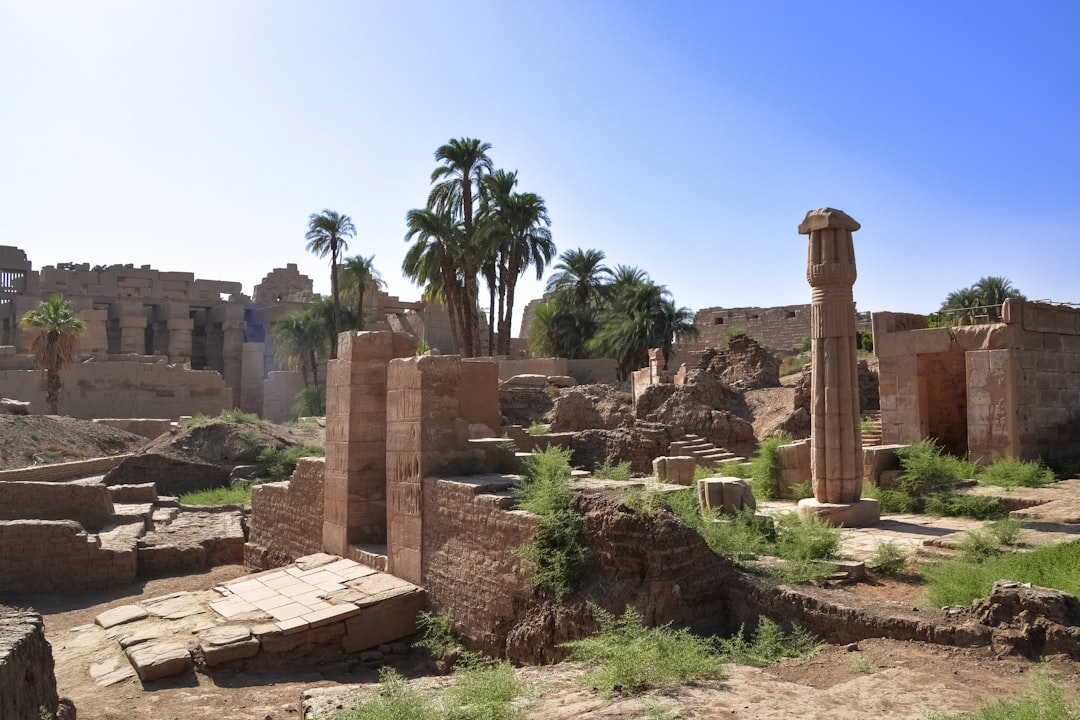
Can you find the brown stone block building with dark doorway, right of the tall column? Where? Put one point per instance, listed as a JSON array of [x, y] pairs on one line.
[[1010, 389]]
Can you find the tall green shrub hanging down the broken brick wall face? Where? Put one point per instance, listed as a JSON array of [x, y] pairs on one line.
[[558, 555]]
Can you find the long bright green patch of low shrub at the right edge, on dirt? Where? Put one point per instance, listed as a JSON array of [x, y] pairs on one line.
[[957, 582]]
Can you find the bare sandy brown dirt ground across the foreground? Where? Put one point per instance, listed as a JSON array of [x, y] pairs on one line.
[[877, 678]]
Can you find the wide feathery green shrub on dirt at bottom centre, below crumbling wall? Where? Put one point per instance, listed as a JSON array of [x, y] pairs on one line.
[[626, 657]]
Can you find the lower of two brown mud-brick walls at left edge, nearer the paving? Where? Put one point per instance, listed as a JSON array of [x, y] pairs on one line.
[[46, 556]]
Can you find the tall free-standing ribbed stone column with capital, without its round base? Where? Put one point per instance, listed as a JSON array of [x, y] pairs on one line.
[[836, 463]]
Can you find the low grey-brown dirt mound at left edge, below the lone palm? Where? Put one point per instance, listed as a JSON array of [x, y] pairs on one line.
[[35, 440]]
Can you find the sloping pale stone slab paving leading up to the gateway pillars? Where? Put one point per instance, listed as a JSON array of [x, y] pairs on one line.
[[322, 602]]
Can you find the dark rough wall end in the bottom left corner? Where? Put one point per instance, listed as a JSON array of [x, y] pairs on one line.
[[28, 683]]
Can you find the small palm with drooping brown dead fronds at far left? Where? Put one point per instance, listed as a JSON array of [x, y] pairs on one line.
[[57, 345]]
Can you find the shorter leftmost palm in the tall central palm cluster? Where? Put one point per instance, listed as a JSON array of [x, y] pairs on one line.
[[434, 262]]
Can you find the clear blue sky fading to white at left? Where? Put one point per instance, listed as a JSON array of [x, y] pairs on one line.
[[687, 139]]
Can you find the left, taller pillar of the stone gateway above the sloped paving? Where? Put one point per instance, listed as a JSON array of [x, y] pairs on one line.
[[355, 497]]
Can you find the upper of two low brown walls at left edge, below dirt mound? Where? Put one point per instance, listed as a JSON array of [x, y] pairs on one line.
[[87, 502]]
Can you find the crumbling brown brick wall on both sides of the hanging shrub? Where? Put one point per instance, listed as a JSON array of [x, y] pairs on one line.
[[657, 565]]
